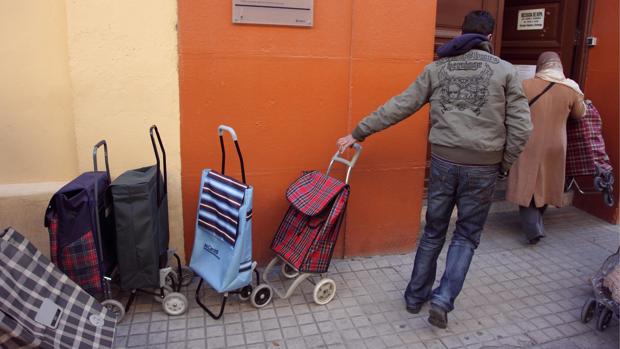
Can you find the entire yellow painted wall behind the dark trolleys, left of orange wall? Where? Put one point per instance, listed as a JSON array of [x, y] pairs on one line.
[[72, 73]]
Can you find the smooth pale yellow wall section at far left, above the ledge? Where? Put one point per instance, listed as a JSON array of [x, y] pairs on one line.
[[37, 139]]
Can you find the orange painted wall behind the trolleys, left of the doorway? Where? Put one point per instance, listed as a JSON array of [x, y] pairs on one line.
[[290, 93]]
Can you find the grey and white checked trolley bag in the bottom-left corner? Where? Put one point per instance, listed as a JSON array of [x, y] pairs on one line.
[[40, 307]]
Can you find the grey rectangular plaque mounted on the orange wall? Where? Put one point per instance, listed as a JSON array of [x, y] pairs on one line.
[[297, 13]]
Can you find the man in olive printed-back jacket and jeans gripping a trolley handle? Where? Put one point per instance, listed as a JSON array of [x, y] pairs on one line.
[[479, 123]]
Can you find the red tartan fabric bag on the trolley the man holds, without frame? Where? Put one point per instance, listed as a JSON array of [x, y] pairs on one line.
[[308, 233]]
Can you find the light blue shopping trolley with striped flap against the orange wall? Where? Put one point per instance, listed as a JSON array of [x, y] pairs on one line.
[[222, 253]]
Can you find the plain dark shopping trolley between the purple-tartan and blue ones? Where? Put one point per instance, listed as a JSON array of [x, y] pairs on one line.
[[140, 202]]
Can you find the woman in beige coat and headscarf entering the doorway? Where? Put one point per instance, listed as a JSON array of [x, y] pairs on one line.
[[537, 177]]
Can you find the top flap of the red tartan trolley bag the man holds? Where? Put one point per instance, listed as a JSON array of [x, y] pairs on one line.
[[313, 191]]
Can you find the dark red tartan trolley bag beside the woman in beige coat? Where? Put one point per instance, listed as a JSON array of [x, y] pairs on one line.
[[585, 145]]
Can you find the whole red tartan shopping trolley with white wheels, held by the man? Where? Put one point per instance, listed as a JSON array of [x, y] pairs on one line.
[[305, 240]]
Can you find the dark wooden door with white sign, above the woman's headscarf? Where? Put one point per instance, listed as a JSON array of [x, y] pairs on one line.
[[559, 32]]
